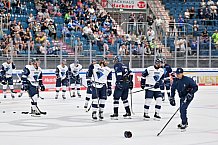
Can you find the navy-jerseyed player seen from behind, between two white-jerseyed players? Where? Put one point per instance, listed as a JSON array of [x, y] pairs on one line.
[[123, 84]]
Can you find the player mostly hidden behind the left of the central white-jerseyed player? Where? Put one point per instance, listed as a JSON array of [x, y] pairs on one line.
[[89, 85]]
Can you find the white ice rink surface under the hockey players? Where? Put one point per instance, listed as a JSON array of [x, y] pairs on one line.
[[67, 123]]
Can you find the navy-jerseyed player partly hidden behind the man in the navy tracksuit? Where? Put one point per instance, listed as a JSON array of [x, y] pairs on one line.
[[166, 84]]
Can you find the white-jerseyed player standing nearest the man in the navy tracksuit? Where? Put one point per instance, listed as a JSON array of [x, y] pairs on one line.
[[151, 81]]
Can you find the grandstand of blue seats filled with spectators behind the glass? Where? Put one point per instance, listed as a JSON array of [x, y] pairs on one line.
[[86, 28]]
